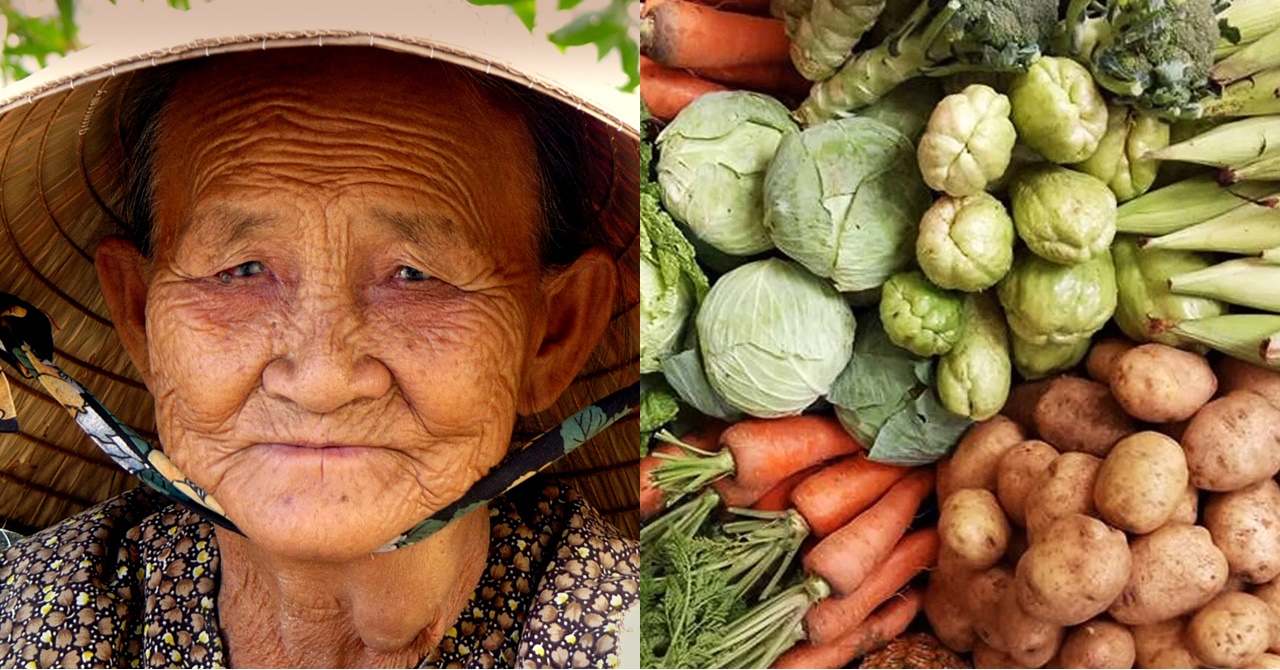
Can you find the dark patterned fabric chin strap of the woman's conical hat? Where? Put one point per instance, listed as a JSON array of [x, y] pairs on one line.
[[28, 344]]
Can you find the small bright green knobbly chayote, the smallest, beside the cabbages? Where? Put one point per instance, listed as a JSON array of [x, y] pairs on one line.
[[921, 317]]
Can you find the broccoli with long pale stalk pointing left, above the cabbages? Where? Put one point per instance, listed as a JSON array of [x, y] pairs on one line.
[[940, 38]]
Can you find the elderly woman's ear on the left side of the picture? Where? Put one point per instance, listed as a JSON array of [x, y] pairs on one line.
[[122, 275]]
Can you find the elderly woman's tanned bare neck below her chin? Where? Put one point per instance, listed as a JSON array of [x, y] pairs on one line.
[[383, 610]]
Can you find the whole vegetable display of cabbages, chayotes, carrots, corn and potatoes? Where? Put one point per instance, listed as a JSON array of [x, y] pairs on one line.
[[961, 334]]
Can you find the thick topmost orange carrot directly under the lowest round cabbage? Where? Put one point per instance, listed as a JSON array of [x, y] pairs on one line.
[[771, 450]]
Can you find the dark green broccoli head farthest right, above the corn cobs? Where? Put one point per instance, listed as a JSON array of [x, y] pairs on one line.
[[1155, 54]]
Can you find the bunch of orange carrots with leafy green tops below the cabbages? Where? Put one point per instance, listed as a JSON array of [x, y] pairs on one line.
[[721, 582]]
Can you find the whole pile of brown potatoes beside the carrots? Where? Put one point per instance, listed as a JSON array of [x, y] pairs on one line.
[[1130, 519]]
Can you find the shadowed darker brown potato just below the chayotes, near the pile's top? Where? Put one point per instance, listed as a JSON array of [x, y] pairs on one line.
[[1077, 414]]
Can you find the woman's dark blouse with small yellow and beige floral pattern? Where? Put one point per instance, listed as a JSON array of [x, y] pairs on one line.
[[134, 584]]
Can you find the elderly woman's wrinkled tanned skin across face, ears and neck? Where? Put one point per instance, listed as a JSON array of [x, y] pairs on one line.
[[336, 274]]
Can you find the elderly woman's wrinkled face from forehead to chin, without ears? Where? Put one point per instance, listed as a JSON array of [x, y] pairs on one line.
[[345, 294]]
